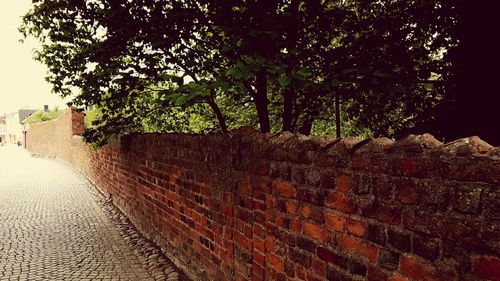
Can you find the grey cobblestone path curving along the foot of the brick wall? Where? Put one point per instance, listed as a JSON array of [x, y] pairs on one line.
[[55, 226]]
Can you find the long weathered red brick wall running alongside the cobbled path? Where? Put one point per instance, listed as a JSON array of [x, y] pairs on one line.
[[248, 206]]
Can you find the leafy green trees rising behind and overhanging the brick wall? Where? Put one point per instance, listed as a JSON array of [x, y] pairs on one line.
[[165, 64]]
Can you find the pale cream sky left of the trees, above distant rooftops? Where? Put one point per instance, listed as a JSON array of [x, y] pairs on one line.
[[22, 79]]
